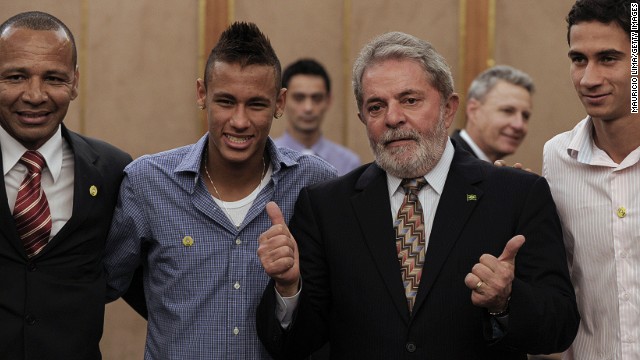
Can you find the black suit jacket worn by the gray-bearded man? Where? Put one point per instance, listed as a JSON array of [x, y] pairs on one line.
[[352, 293]]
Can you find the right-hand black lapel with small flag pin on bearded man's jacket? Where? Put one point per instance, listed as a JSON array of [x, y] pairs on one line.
[[457, 202]]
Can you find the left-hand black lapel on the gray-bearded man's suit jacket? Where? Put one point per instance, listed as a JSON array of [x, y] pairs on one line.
[[372, 209]]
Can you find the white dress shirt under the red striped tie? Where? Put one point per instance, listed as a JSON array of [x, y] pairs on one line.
[[56, 179]]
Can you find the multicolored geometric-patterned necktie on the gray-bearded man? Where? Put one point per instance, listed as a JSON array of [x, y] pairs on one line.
[[410, 238]]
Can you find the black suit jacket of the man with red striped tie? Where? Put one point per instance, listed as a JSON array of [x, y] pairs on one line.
[[52, 305]]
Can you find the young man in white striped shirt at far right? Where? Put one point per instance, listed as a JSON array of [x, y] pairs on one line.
[[594, 174]]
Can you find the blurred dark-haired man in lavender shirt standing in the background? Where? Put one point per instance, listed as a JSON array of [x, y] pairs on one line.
[[308, 99]]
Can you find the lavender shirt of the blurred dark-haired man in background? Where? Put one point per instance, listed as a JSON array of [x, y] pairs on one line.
[[343, 159]]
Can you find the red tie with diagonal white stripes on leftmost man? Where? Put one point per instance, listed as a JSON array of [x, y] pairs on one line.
[[31, 212]]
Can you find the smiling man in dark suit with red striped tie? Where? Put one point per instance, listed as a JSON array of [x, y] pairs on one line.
[[52, 287]]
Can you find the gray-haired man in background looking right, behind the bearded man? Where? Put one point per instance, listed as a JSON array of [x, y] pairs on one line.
[[498, 112]]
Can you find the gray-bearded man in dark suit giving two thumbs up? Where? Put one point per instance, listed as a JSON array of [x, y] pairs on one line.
[[439, 271]]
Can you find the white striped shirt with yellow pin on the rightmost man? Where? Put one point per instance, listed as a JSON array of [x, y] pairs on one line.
[[599, 205]]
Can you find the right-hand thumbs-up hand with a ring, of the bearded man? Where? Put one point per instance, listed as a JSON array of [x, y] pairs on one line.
[[490, 280]]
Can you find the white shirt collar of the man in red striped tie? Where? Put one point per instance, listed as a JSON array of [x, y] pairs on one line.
[[12, 151]]
